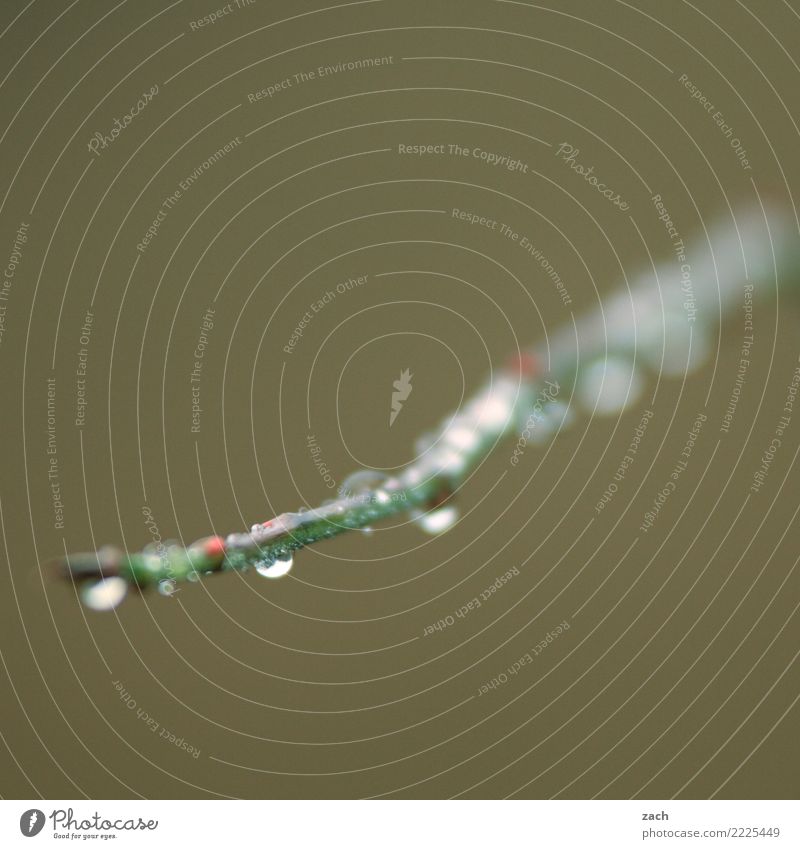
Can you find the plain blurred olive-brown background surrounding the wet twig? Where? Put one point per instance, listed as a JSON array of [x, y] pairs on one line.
[[678, 674]]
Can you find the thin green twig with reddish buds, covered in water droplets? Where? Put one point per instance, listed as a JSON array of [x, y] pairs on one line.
[[664, 320]]
